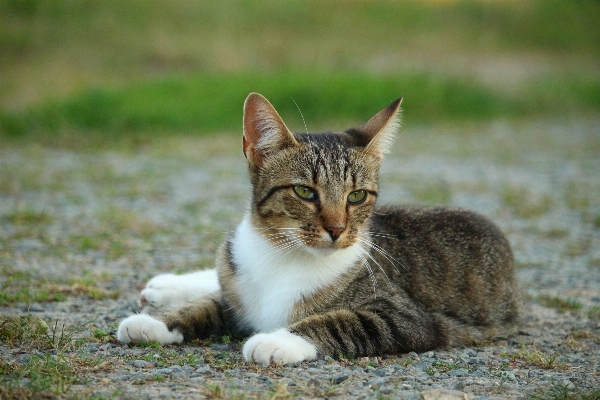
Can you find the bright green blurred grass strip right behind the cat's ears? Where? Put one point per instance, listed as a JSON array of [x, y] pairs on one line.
[[211, 103]]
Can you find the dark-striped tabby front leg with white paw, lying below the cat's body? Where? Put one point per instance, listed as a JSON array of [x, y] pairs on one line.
[[374, 329]]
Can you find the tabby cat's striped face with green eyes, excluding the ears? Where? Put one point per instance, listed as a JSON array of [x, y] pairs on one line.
[[319, 193]]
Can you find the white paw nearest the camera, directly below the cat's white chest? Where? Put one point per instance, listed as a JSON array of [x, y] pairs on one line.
[[280, 347]]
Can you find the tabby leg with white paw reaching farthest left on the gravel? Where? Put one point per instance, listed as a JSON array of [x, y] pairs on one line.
[[199, 318]]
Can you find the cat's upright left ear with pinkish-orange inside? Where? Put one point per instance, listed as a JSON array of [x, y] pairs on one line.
[[264, 130]]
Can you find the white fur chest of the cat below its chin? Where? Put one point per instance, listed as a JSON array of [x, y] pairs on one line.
[[271, 280]]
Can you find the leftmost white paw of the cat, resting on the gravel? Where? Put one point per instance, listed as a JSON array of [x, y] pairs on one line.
[[145, 328]]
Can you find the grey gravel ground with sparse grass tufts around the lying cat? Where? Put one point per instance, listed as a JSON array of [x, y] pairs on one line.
[[95, 225]]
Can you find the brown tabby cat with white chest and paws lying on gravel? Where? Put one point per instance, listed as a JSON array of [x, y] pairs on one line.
[[314, 269]]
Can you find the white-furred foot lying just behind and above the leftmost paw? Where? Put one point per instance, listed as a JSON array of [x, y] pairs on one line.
[[168, 291]]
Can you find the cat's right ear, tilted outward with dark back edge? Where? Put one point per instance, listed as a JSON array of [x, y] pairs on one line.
[[377, 134]]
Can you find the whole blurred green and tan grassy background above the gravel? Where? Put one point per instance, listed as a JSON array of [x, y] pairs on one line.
[[115, 68]]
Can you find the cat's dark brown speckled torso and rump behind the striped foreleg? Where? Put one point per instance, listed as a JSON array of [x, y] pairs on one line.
[[448, 259]]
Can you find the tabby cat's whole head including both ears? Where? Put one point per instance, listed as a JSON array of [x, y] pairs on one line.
[[314, 190]]
